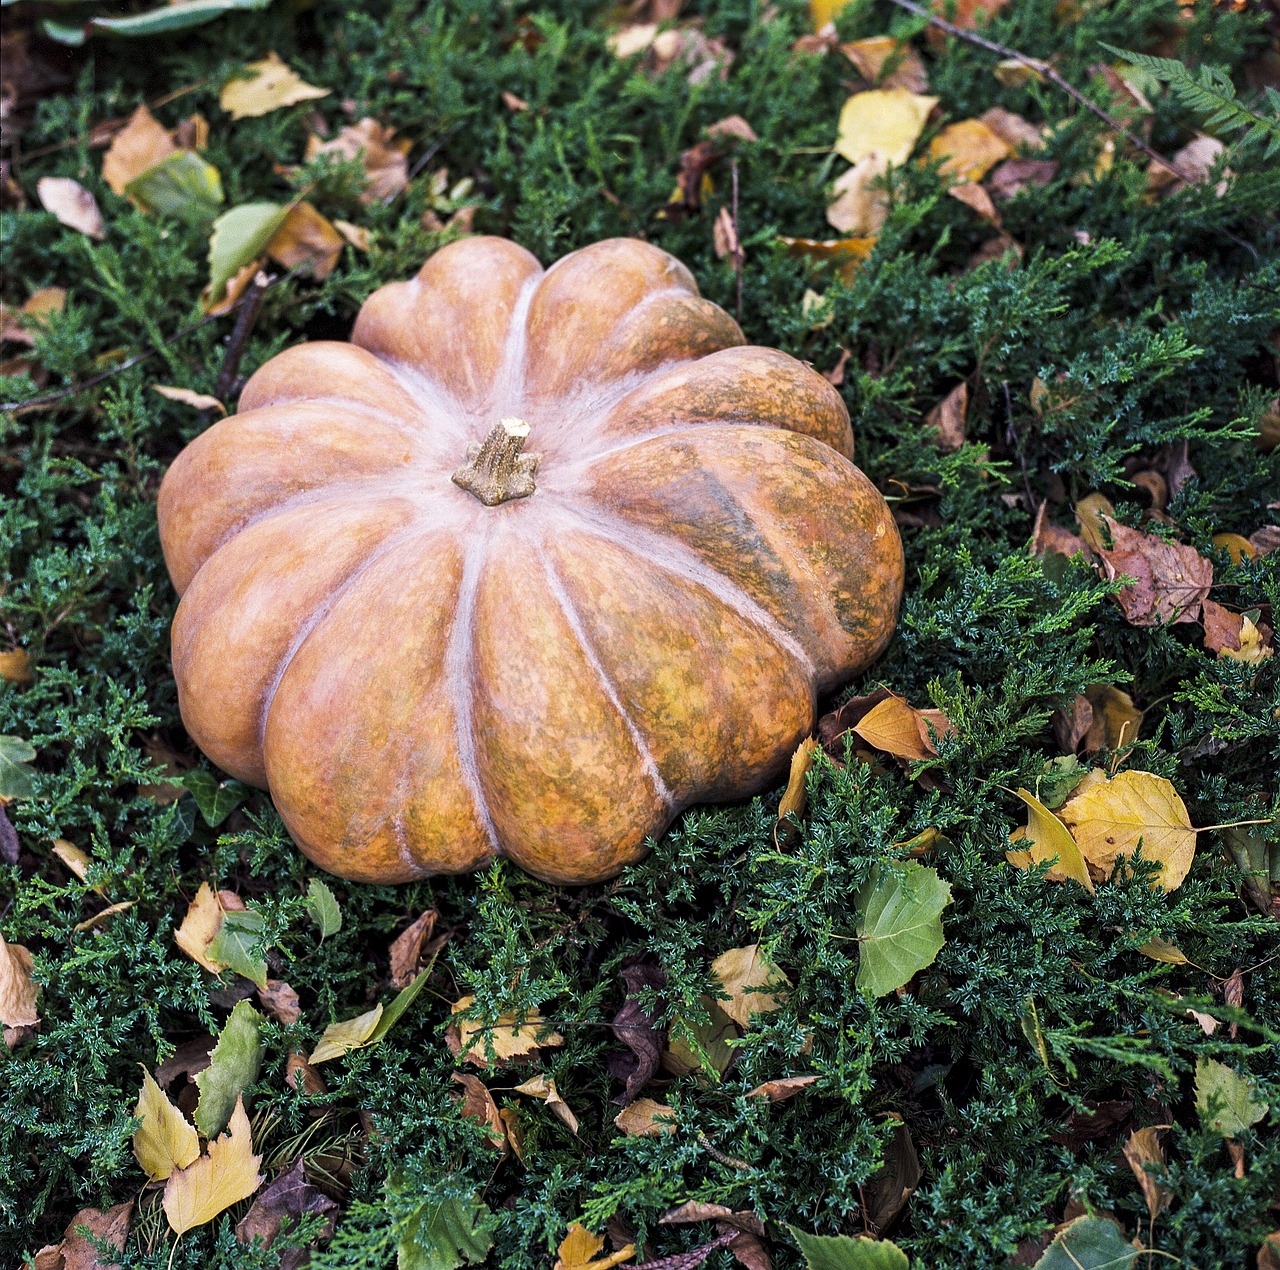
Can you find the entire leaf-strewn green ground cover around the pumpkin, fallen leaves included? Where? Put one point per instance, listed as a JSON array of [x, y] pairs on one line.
[[1063, 373]]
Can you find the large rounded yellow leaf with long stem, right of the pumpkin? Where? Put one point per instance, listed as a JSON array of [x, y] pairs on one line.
[[1112, 817]]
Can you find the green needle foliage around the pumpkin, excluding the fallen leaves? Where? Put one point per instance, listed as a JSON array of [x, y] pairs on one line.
[[1040, 1035]]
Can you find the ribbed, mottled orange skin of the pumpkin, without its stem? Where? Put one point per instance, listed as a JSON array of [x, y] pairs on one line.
[[423, 682]]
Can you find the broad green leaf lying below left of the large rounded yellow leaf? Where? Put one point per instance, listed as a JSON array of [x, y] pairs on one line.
[[899, 925]]
